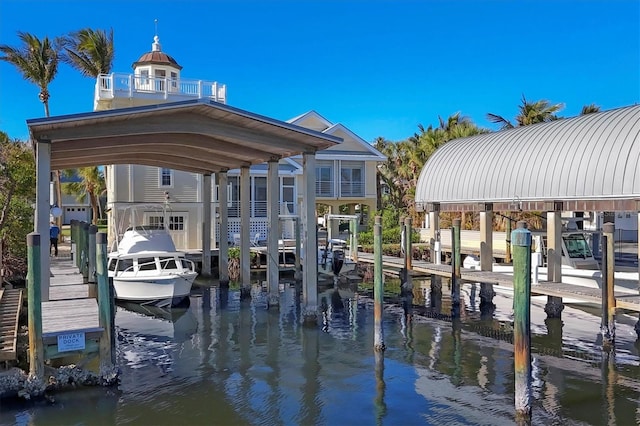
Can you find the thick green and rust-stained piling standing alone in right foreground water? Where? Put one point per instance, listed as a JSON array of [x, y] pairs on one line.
[[521, 242]]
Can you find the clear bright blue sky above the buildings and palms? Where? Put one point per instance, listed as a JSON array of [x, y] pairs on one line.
[[378, 67]]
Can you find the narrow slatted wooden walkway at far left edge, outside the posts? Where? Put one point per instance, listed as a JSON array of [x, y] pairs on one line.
[[10, 307]]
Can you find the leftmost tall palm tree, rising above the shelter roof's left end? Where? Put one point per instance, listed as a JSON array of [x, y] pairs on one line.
[[37, 61]]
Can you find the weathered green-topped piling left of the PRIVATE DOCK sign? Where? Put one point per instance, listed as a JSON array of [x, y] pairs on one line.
[[34, 303]]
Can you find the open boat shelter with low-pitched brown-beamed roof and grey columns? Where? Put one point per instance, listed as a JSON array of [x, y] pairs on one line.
[[198, 136]]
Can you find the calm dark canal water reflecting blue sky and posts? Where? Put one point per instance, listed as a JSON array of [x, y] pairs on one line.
[[223, 361]]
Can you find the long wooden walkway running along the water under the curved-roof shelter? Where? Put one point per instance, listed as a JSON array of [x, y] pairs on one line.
[[630, 302]]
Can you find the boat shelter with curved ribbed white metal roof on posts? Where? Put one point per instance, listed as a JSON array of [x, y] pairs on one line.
[[586, 163]]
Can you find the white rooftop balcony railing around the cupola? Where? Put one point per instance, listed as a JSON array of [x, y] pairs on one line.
[[110, 86]]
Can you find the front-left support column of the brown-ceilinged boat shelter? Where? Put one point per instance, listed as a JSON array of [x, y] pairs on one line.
[[43, 211]]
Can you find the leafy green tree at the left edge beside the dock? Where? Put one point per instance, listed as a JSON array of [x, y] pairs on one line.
[[17, 180]]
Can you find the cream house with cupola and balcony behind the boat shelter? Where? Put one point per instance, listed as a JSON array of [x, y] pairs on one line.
[[346, 174]]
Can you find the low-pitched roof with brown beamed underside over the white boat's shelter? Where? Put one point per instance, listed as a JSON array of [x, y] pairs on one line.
[[199, 136]]
